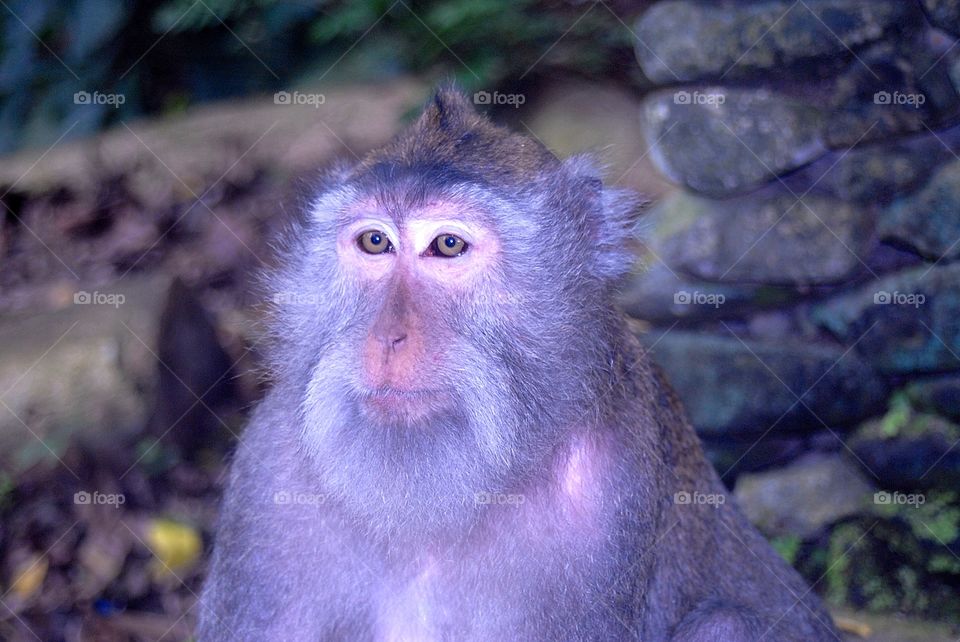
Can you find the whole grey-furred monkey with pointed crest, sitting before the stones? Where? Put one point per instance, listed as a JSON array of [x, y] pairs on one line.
[[464, 440]]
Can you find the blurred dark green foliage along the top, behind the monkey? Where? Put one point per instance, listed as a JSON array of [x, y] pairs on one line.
[[162, 56]]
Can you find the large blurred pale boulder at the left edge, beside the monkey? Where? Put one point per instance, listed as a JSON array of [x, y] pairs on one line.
[[81, 373]]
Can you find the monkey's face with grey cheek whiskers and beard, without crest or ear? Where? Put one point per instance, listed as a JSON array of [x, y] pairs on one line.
[[441, 355]]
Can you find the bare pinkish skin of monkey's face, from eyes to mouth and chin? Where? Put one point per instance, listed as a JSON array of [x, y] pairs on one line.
[[416, 273]]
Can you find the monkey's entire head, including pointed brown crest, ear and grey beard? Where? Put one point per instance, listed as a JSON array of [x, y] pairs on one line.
[[459, 318]]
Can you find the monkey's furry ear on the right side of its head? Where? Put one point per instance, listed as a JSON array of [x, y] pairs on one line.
[[612, 218]]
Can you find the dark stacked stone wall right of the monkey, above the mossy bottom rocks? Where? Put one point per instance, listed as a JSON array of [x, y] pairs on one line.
[[806, 270]]
